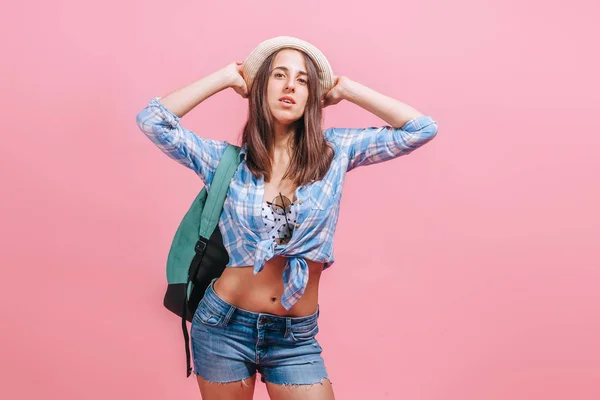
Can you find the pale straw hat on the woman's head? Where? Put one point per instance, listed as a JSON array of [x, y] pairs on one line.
[[255, 59]]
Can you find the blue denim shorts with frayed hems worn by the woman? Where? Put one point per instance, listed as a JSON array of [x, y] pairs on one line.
[[230, 344]]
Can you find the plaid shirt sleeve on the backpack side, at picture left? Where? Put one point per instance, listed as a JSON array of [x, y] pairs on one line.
[[163, 128]]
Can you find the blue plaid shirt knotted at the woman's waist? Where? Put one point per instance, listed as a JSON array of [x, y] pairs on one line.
[[245, 235]]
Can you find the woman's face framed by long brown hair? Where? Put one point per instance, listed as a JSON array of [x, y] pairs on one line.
[[288, 78]]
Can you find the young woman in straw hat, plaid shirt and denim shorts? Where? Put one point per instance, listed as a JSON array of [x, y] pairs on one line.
[[280, 213]]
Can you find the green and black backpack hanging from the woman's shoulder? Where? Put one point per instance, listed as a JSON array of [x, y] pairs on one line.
[[197, 254]]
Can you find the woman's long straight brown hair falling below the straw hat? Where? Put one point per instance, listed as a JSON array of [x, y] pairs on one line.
[[312, 156]]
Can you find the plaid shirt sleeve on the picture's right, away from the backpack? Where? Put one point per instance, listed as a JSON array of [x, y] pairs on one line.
[[365, 146]]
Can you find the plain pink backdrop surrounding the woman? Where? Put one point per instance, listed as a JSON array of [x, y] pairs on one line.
[[468, 270]]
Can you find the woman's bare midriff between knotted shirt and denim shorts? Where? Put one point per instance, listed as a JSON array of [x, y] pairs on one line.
[[261, 293]]
